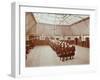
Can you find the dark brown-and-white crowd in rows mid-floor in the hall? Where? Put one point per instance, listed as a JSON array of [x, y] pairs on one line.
[[63, 49]]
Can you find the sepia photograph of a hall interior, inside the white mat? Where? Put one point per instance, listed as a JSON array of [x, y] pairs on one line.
[[54, 39]]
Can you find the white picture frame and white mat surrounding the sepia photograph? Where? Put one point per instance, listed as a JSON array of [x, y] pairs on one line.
[[18, 68]]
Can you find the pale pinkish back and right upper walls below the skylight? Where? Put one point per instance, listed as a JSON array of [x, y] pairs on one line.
[[81, 28]]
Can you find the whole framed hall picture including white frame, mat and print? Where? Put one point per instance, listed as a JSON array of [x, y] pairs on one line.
[[52, 40]]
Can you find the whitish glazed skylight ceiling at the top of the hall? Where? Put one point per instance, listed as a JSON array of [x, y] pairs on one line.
[[58, 19]]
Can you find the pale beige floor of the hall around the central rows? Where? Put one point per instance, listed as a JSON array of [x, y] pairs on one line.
[[45, 56]]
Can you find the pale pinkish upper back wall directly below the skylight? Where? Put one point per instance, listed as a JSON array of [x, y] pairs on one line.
[[47, 29]]
